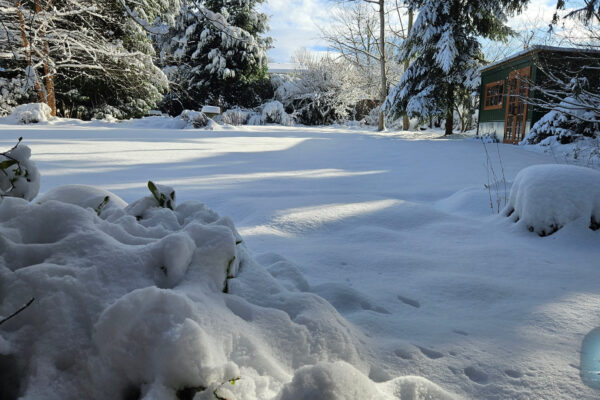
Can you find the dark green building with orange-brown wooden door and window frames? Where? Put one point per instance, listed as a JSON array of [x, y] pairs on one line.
[[510, 86]]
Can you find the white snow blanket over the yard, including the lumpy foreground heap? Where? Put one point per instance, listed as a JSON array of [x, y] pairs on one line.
[[371, 266]]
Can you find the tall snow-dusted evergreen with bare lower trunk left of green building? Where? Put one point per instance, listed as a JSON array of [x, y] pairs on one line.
[[445, 52]]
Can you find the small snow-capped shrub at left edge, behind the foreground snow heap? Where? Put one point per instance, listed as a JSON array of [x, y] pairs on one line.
[[19, 177]]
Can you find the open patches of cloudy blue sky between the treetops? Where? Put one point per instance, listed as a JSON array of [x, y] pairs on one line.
[[294, 23]]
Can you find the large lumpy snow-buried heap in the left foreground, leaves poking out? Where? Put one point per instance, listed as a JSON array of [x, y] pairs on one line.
[[160, 301]]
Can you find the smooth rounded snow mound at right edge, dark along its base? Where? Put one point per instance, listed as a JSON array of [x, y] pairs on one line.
[[544, 198]]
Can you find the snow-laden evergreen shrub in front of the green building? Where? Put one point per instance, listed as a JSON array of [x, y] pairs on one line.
[[565, 124]]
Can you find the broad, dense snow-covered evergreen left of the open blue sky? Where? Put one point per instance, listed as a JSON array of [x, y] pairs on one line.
[[216, 54]]
